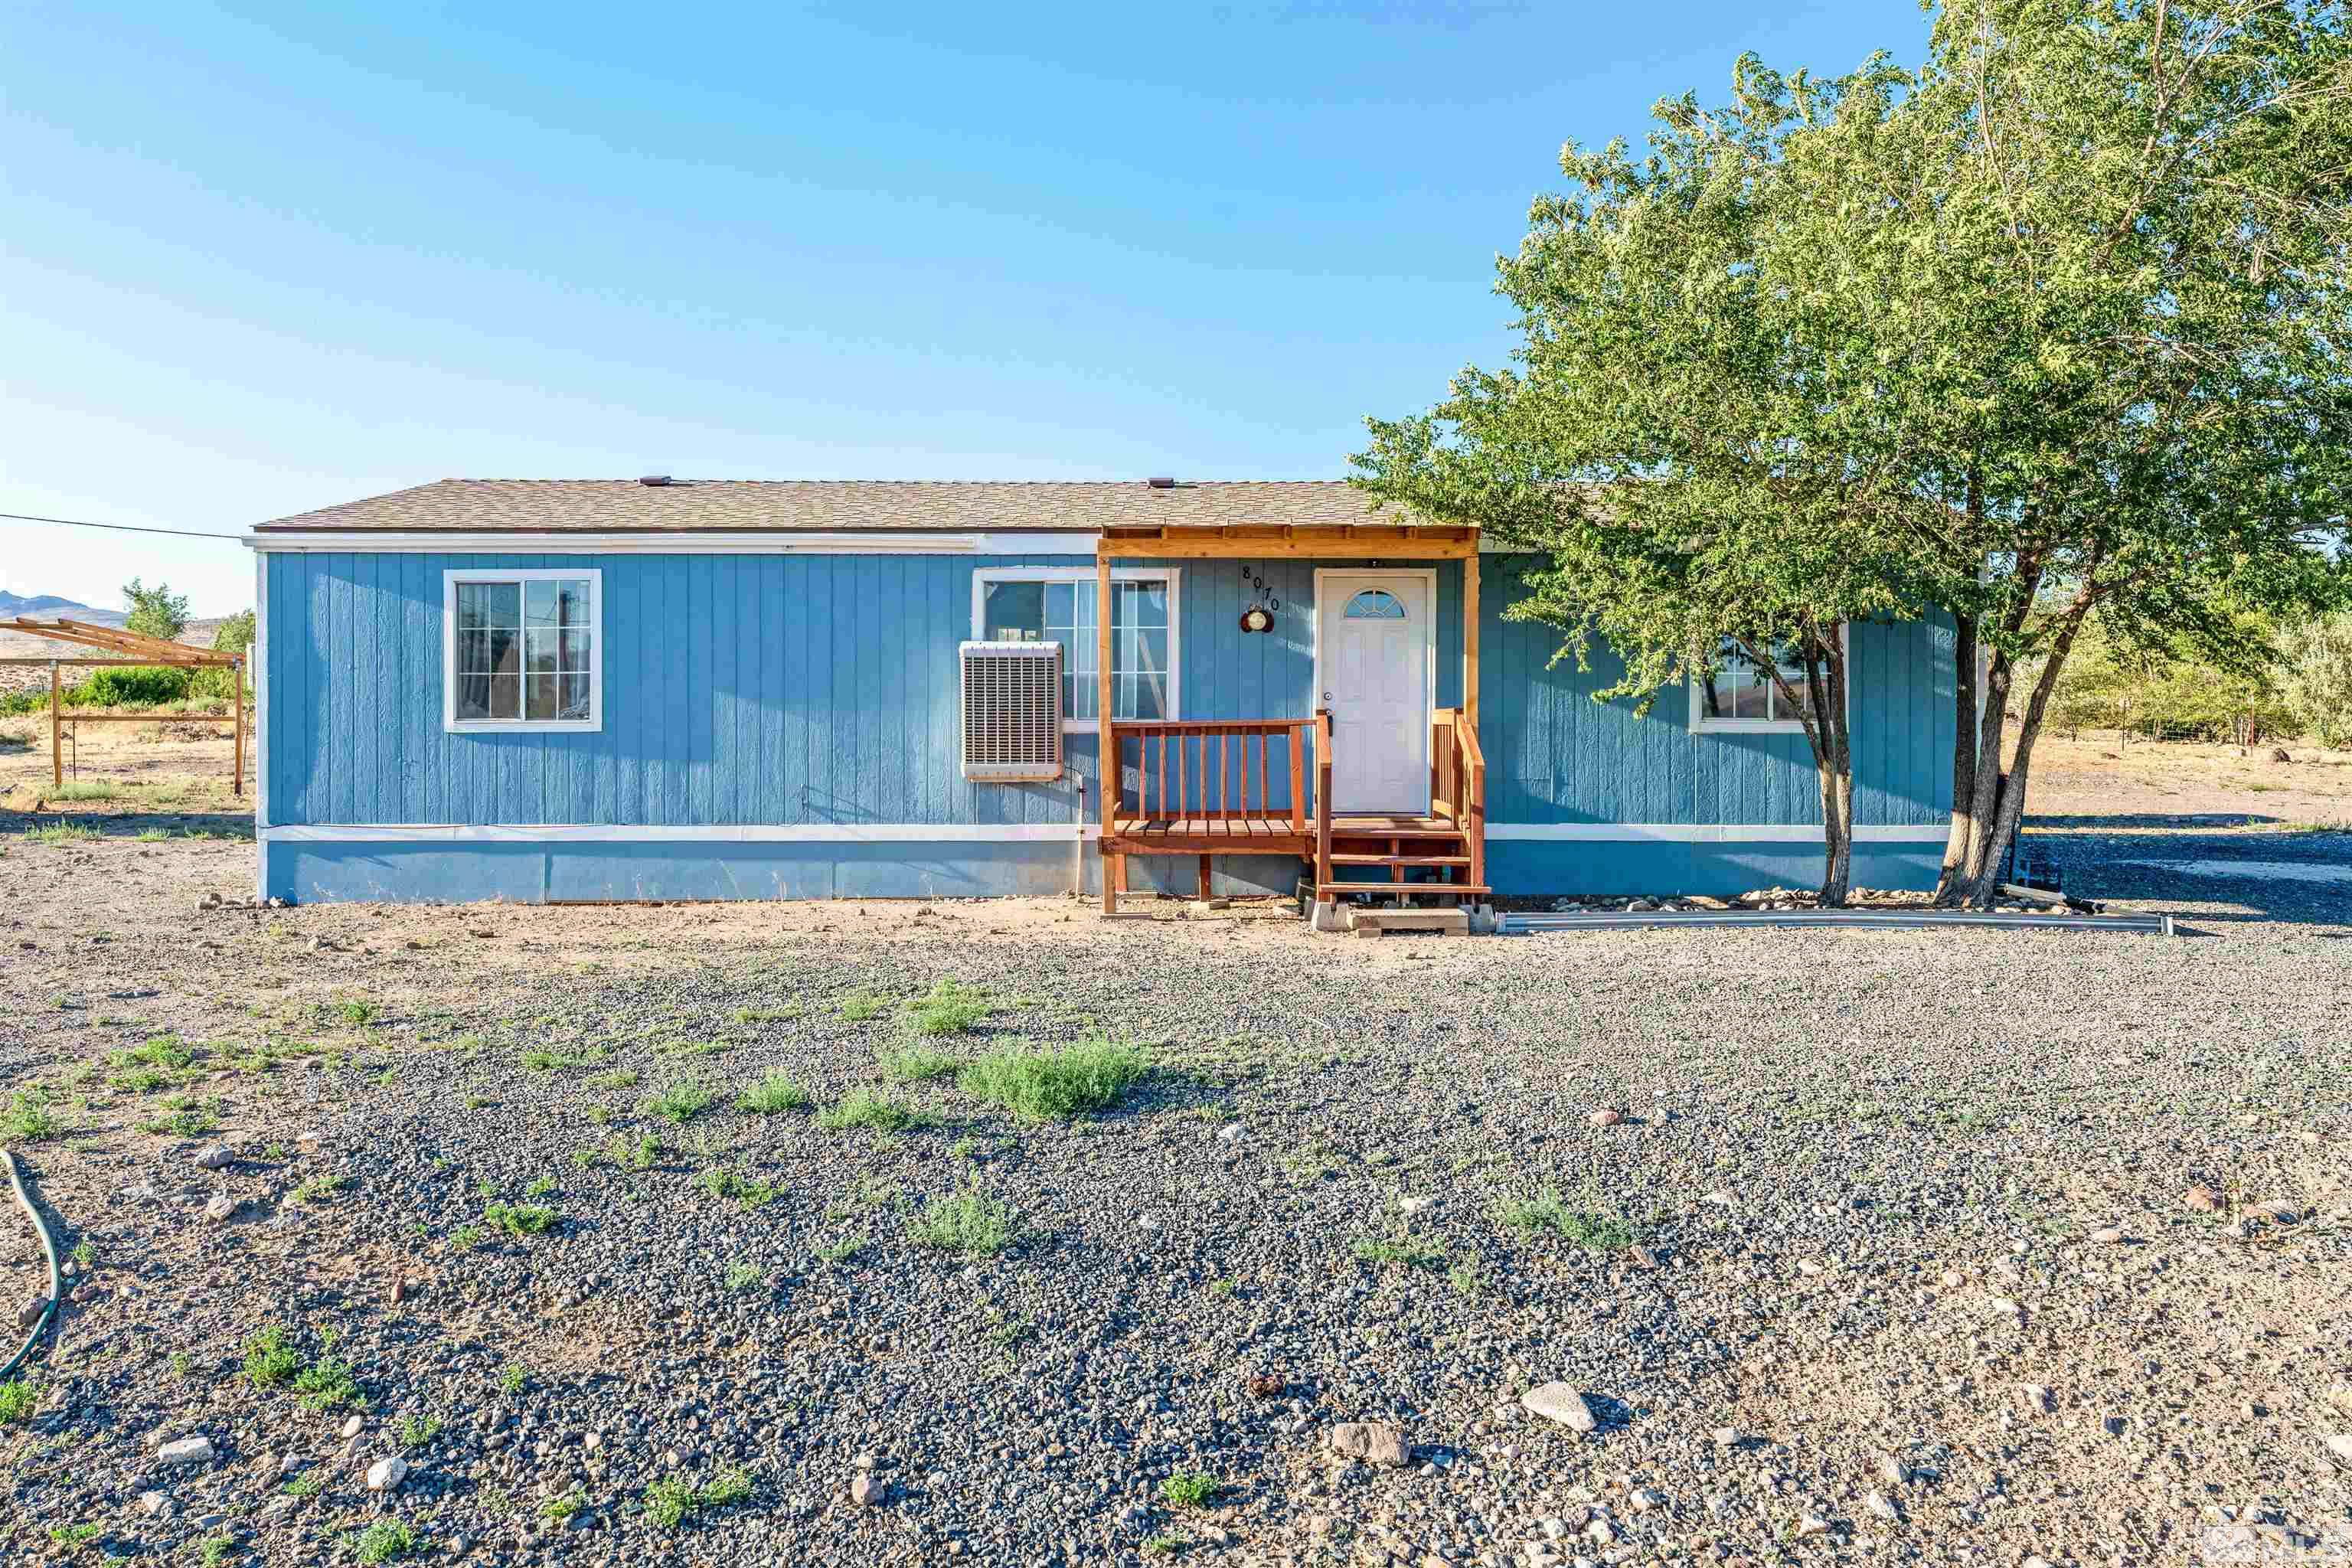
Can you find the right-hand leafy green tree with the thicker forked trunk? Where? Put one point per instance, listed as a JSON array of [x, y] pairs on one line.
[[2097, 319]]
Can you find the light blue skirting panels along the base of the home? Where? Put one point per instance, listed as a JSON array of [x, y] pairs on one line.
[[523, 871]]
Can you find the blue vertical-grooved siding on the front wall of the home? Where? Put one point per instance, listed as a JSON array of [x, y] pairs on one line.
[[820, 695]]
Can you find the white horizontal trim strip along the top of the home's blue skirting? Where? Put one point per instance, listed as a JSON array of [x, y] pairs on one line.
[[1020, 833]]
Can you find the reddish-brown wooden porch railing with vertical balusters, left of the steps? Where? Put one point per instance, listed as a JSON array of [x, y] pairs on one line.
[[1205, 772]]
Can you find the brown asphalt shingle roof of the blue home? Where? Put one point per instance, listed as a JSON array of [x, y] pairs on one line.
[[843, 504]]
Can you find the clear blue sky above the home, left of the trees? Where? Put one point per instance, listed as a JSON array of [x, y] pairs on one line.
[[265, 260]]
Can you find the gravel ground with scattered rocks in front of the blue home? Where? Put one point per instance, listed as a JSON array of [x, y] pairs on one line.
[[1838, 1285]]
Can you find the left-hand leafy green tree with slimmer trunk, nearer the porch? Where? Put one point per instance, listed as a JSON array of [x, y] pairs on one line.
[[1664, 441]]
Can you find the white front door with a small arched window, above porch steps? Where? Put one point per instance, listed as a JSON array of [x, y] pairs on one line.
[[1372, 657]]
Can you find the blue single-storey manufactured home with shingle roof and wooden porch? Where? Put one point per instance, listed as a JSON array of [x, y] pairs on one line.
[[822, 690]]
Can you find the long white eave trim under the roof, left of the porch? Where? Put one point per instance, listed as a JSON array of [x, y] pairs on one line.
[[735, 542]]
